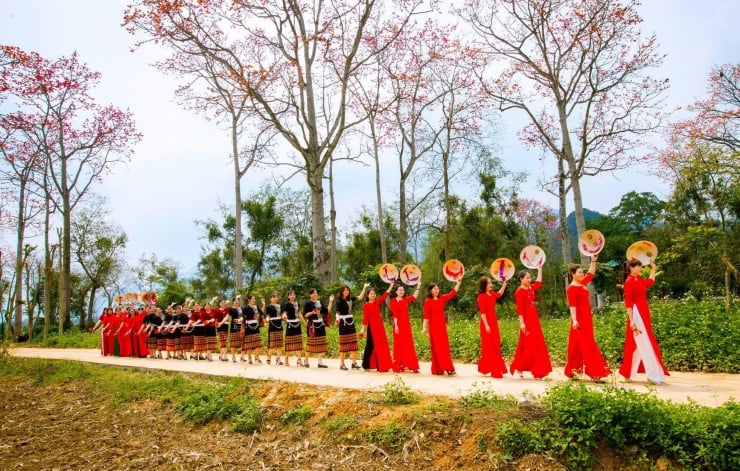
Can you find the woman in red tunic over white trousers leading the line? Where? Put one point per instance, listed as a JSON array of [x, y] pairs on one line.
[[641, 351]]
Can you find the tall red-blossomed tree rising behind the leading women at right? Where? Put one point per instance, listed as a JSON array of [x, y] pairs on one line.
[[580, 71]]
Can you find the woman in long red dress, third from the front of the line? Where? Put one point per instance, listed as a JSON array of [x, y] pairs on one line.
[[531, 350]]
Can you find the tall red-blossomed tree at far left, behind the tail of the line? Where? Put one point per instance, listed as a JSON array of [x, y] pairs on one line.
[[79, 139]]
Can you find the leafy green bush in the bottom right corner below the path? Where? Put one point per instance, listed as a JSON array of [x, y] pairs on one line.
[[579, 419]]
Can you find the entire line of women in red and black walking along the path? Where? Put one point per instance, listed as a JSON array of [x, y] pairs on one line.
[[199, 332]]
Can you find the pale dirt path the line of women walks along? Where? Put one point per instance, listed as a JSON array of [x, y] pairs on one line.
[[706, 389]]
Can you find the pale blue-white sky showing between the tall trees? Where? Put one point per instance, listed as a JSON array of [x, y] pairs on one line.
[[180, 171]]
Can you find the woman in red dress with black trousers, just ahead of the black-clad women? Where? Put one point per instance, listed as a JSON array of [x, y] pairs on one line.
[[377, 355]]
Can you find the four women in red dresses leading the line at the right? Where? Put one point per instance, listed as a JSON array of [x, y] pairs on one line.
[[641, 352]]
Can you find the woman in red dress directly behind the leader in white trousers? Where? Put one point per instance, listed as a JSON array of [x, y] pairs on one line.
[[584, 356]]
